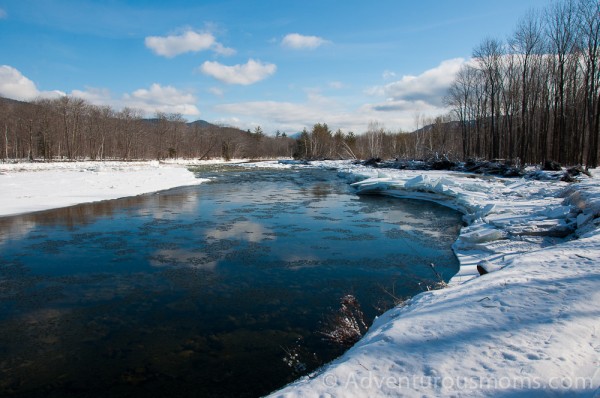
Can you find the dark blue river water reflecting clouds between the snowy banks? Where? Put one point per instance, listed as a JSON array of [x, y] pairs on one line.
[[203, 291]]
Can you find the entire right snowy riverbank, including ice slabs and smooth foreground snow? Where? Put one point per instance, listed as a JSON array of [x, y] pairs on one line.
[[530, 327]]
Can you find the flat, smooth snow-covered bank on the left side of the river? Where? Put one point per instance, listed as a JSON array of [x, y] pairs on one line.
[[27, 187]]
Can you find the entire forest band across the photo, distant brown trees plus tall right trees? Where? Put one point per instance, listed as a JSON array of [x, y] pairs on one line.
[[528, 99]]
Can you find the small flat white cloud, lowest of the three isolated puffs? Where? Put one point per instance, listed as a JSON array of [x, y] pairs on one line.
[[244, 74]]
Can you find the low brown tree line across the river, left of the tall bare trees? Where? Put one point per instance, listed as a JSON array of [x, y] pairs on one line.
[[70, 128]]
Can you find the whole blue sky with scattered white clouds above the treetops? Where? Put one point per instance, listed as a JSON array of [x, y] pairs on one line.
[[280, 64]]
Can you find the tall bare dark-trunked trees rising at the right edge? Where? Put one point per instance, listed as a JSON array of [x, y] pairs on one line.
[[535, 96]]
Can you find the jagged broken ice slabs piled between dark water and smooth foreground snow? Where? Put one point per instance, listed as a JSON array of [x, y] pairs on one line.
[[504, 217]]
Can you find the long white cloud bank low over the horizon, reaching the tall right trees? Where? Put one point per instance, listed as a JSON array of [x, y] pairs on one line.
[[396, 105]]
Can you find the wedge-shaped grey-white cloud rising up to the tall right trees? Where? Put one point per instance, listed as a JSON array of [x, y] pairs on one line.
[[428, 87]]
